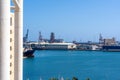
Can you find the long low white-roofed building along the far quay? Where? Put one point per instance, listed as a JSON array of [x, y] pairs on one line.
[[54, 46]]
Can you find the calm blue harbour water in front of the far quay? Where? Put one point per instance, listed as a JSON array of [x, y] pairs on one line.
[[96, 65]]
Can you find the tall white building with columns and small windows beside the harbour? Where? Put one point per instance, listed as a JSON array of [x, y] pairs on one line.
[[11, 36]]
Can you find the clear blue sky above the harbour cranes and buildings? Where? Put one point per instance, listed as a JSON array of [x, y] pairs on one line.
[[79, 20]]
